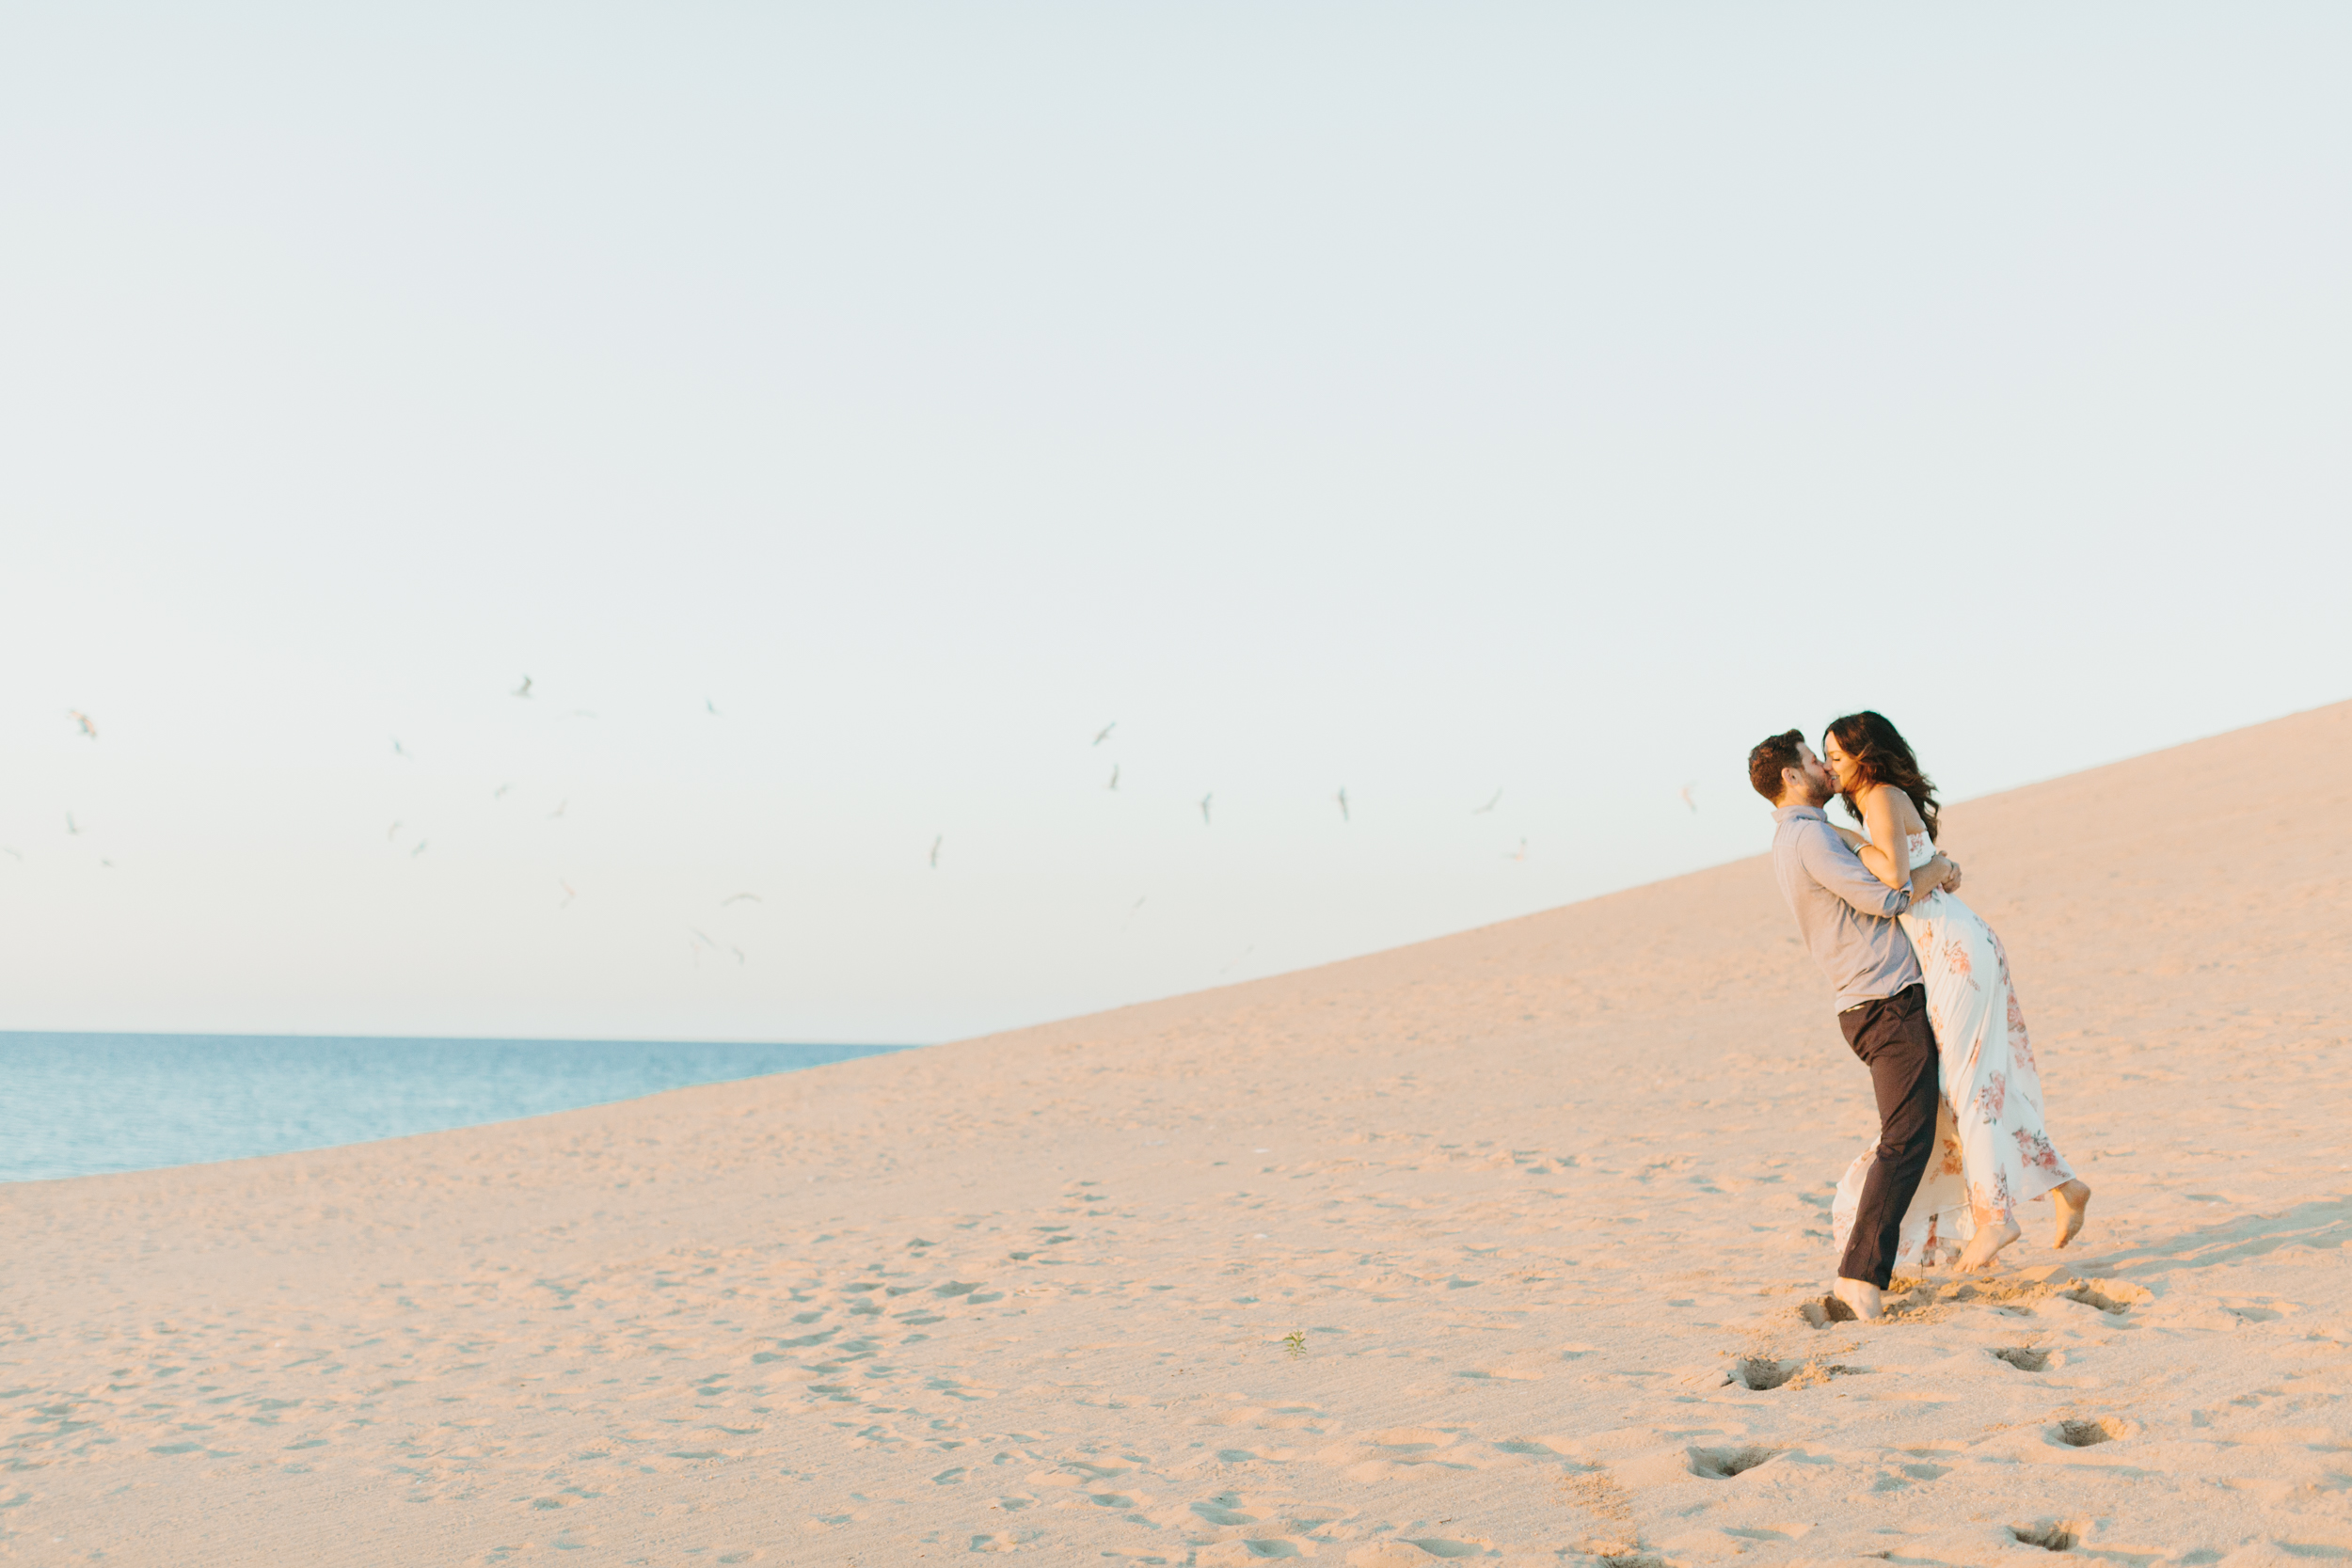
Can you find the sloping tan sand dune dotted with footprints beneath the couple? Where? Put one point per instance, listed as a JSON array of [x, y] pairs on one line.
[[1488, 1249]]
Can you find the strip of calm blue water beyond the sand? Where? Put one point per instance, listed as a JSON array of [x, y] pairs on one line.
[[83, 1104]]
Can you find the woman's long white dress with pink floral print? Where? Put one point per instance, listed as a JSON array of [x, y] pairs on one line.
[[1991, 1144]]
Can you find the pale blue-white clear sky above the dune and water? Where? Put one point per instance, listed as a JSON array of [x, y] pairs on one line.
[[1412, 401]]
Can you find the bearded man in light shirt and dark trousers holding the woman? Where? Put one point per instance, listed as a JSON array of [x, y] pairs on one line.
[[1850, 927]]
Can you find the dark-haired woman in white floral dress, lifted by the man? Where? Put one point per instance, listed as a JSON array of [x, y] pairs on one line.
[[1993, 1151]]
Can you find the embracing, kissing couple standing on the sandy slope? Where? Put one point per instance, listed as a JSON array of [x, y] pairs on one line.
[[1927, 1005]]
